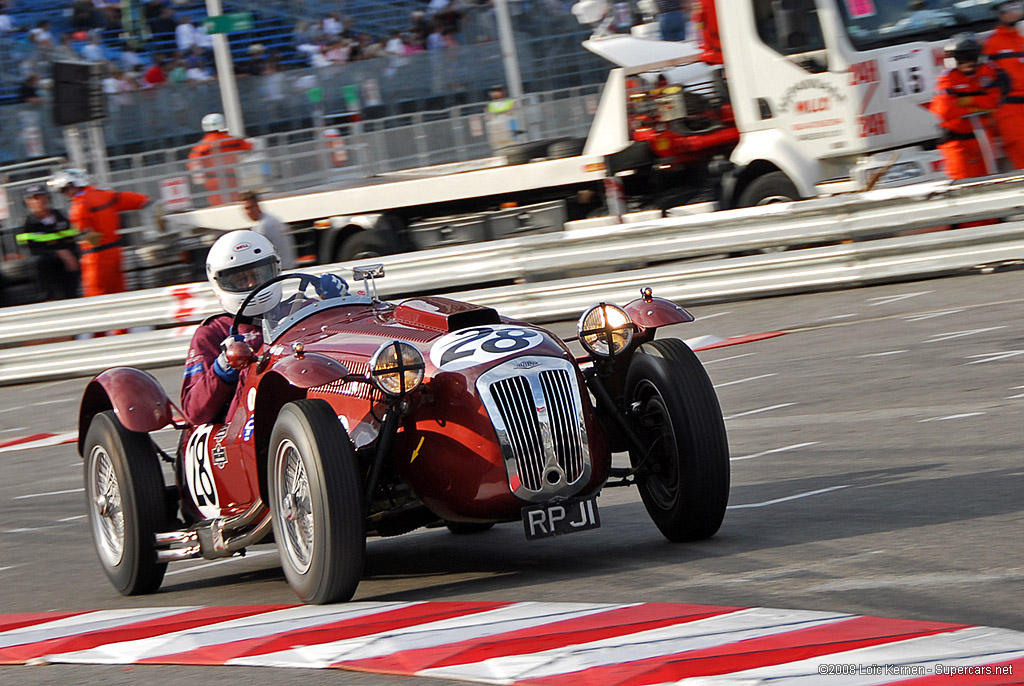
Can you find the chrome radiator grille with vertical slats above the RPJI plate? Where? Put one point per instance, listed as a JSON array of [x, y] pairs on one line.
[[538, 417]]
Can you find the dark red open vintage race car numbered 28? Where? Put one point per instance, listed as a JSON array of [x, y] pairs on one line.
[[361, 417]]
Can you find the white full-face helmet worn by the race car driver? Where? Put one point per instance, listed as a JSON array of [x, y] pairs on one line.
[[237, 264]]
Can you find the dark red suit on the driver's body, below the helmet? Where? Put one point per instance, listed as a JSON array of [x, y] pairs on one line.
[[205, 396]]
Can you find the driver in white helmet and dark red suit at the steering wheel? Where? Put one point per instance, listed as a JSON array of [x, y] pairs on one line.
[[237, 264]]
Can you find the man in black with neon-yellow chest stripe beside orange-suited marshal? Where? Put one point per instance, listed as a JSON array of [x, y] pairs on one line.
[[49, 236]]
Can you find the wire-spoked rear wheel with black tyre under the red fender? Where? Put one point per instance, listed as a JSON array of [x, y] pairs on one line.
[[126, 502]]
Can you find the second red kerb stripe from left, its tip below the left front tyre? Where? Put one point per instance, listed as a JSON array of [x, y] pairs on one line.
[[189, 620]]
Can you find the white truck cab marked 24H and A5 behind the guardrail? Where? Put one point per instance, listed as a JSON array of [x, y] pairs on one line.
[[828, 96]]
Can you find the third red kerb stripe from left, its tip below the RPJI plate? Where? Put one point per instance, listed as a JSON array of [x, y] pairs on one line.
[[337, 631]]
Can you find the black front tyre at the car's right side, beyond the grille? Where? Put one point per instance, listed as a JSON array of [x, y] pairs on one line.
[[685, 477]]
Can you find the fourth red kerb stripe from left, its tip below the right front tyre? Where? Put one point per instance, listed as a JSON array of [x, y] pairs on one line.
[[618, 622]]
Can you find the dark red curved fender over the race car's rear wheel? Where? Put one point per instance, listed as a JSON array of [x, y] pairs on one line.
[[136, 397]]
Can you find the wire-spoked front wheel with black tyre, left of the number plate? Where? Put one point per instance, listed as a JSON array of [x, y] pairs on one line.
[[320, 532]]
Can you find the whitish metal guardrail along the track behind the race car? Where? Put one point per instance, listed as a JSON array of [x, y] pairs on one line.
[[834, 243]]
